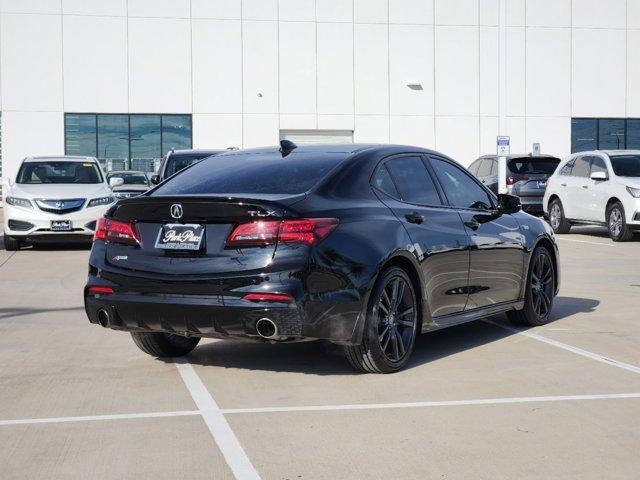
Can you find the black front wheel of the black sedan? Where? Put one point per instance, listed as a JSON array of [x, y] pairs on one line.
[[540, 291]]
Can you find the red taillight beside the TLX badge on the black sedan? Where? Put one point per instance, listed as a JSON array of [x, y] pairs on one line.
[[303, 230]]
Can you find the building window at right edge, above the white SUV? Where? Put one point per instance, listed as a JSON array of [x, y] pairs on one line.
[[604, 134]]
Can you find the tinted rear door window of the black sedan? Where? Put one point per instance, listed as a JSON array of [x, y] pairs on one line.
[[413, 181]]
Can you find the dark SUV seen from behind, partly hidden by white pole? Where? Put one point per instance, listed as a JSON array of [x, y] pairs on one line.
[[526, 176]]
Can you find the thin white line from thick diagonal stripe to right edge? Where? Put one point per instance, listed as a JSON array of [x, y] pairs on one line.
[[446, 403]]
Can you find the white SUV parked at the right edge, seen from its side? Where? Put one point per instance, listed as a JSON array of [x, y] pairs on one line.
[[598, 187]]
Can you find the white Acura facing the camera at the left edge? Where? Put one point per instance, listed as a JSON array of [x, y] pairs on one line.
[[54, 199]]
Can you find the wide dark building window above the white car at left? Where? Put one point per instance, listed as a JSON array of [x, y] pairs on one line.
[[126, 141]]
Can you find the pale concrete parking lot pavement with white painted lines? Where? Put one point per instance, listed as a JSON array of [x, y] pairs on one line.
[[483, 400]]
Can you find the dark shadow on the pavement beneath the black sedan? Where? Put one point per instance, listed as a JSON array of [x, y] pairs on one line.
[[320, 358]]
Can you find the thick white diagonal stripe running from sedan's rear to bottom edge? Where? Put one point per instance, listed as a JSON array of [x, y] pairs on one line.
[[229, 445]]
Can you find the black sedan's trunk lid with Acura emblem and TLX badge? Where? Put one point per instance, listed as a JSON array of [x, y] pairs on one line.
[[218, 215]]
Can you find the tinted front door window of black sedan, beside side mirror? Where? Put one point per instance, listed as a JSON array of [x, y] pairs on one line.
[[461, 190]]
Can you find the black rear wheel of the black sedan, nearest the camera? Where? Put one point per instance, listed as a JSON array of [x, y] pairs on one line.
[[391, 325]]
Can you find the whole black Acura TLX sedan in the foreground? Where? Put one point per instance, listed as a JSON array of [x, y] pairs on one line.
[[361, 245]]
